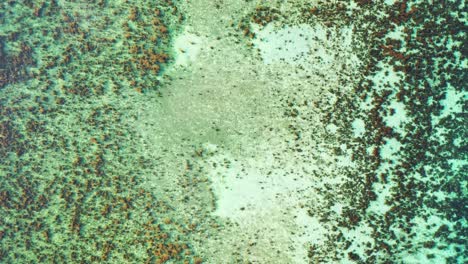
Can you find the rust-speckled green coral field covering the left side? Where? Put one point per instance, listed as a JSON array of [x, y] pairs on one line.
[[70, 188]]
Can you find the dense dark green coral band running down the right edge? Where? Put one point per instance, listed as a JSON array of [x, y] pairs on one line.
[[430, 66]]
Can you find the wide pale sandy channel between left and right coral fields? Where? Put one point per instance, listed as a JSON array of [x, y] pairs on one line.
[[260, 176]]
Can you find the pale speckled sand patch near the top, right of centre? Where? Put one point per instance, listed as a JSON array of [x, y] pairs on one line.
[[305, 45]]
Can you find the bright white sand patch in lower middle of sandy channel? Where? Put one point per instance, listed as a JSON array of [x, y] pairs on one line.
[[253, 186]]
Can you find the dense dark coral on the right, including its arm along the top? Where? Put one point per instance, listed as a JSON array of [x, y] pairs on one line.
[[424, 184]]
